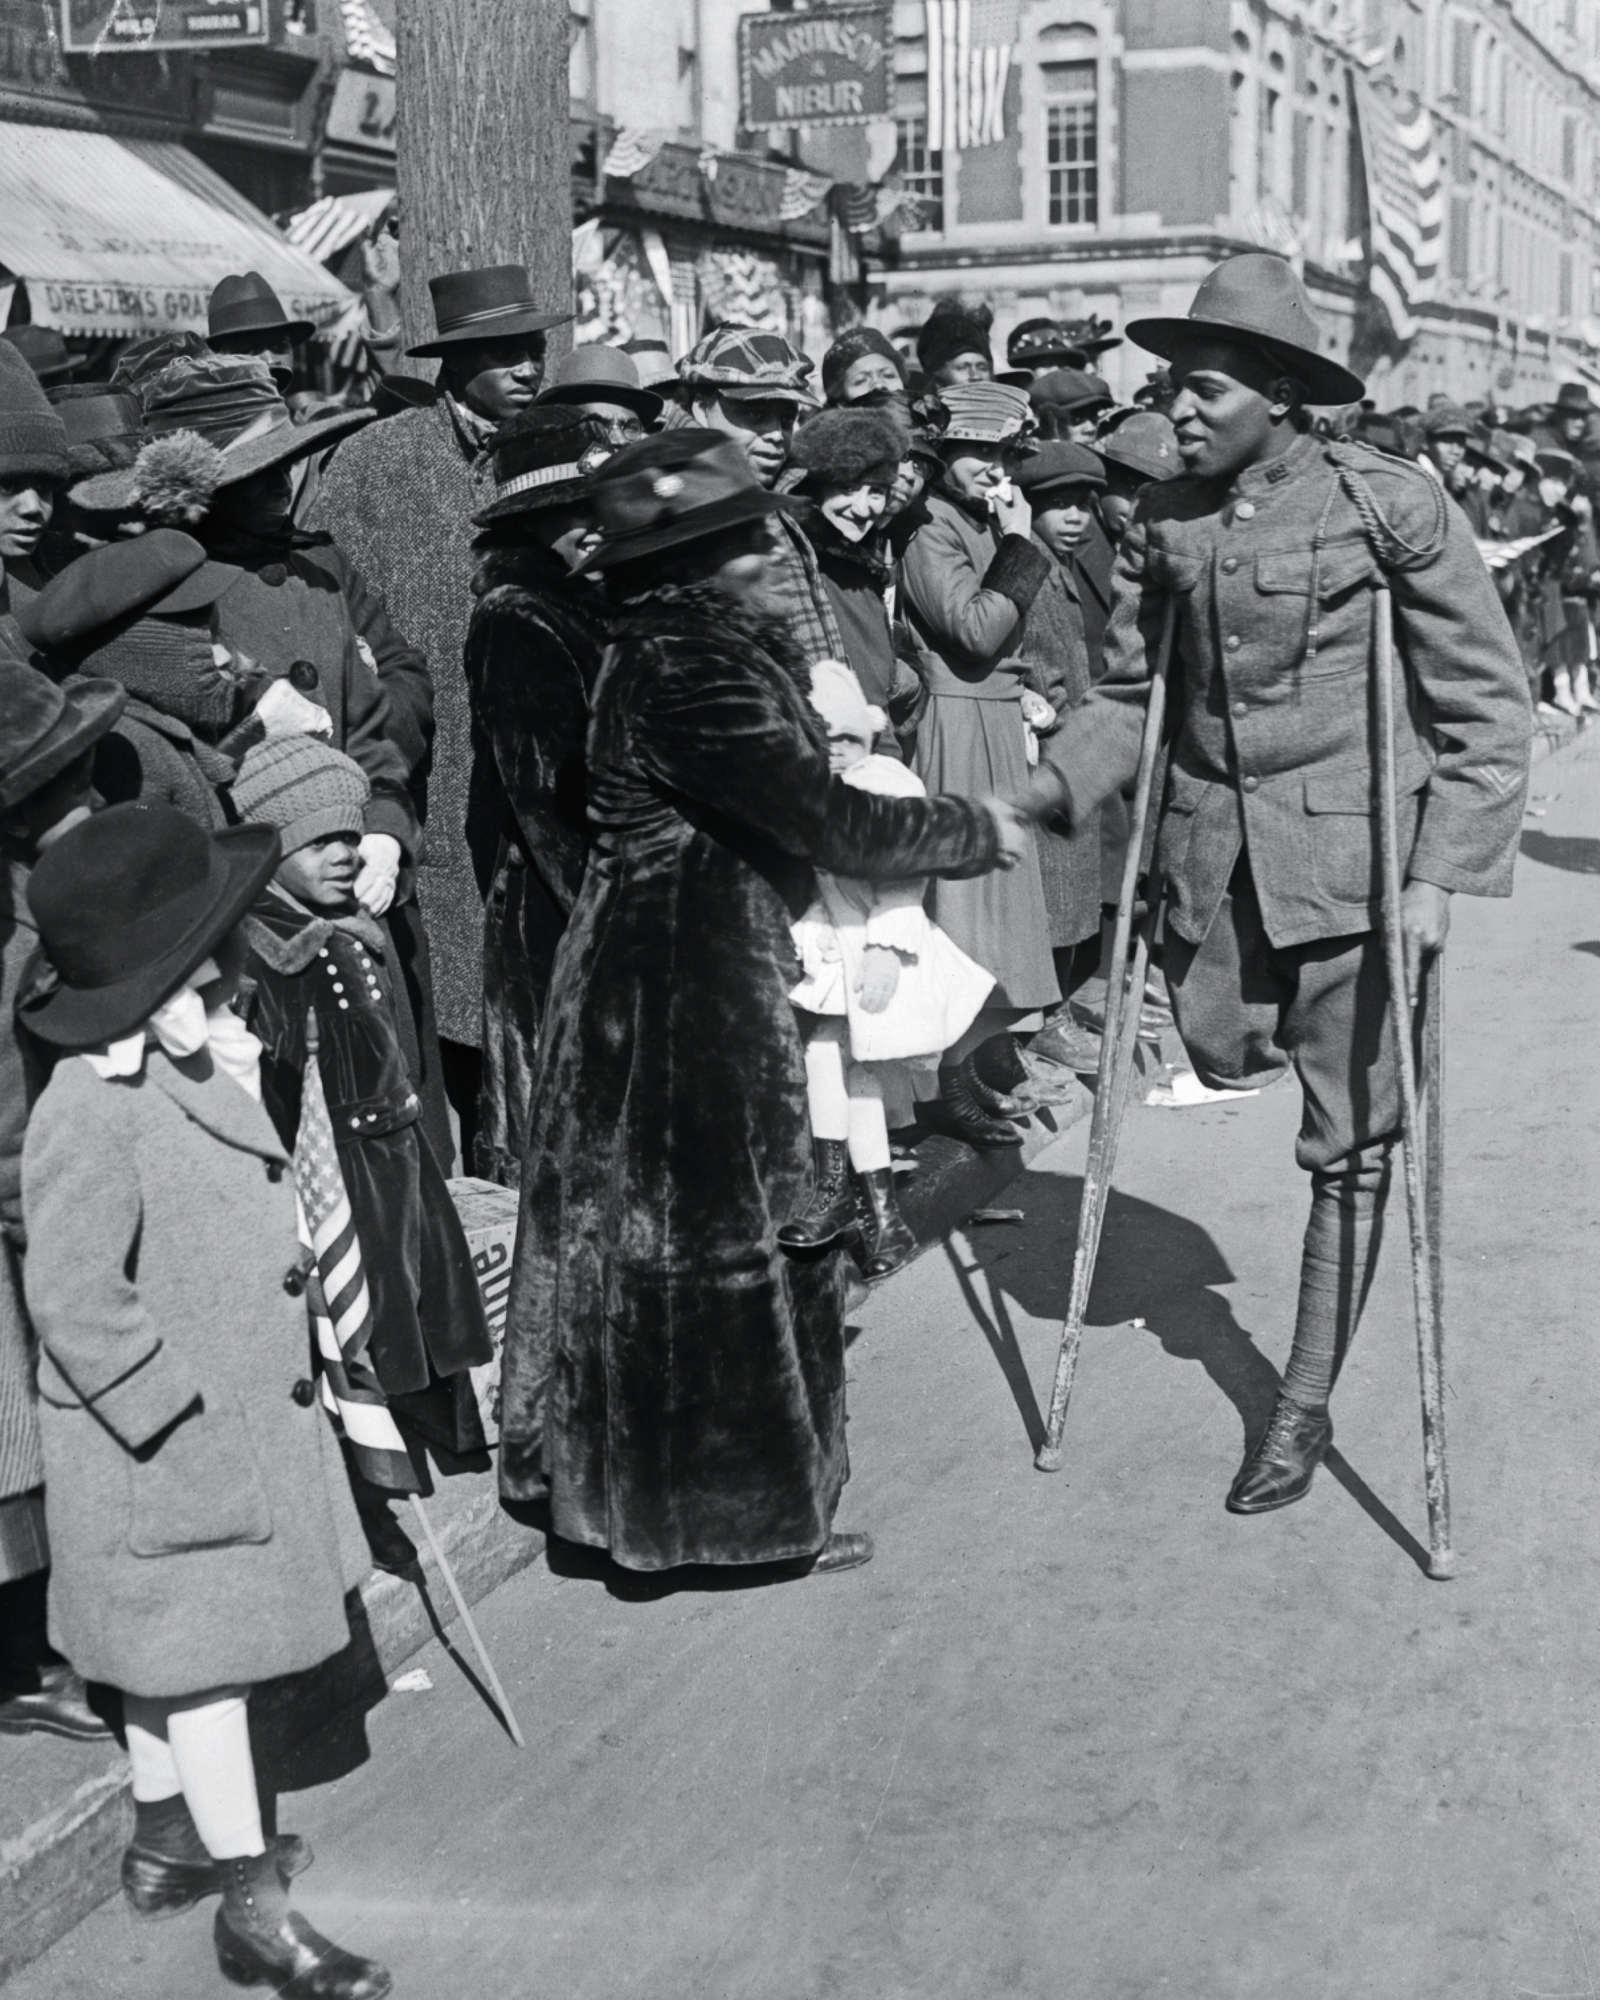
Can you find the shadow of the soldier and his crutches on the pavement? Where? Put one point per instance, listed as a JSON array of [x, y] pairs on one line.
[[1159, 1267]]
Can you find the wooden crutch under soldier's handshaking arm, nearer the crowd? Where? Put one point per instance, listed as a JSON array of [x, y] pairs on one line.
[[1125, 999]]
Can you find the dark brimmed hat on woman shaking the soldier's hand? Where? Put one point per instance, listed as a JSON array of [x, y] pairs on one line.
[[673, 489]]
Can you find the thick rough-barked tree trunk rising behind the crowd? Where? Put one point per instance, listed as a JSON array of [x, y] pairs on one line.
[[483, 149]]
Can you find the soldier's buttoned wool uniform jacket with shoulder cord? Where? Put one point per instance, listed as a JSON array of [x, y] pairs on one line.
[[1275, 743]]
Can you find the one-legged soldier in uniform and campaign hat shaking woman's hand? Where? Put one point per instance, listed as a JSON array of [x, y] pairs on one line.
[[1271, 547]]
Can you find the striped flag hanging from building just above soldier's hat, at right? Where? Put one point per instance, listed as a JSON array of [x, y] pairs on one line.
[[1405, 201]]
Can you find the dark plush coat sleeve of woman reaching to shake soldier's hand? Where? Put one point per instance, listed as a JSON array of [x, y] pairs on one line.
[[727, 739]]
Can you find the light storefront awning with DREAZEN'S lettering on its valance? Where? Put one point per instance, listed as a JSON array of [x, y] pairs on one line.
[[111, 245]]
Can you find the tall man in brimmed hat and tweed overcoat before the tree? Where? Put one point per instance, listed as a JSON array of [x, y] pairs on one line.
[[401, 501]]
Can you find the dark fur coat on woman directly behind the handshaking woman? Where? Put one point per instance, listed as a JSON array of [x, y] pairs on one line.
[[533, 655]]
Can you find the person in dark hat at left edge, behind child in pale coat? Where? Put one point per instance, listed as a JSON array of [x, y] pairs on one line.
[[47, 755]]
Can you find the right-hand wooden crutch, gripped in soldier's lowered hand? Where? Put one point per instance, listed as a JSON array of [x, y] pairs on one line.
[[1423, 1151]]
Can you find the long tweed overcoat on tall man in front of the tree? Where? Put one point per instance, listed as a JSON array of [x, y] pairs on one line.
[[399, 497]]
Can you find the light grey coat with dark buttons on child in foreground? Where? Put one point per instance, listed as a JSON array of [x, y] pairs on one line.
[[165, 1267]]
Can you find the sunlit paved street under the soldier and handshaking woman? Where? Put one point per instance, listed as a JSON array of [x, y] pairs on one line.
[[1083, 1737]]
